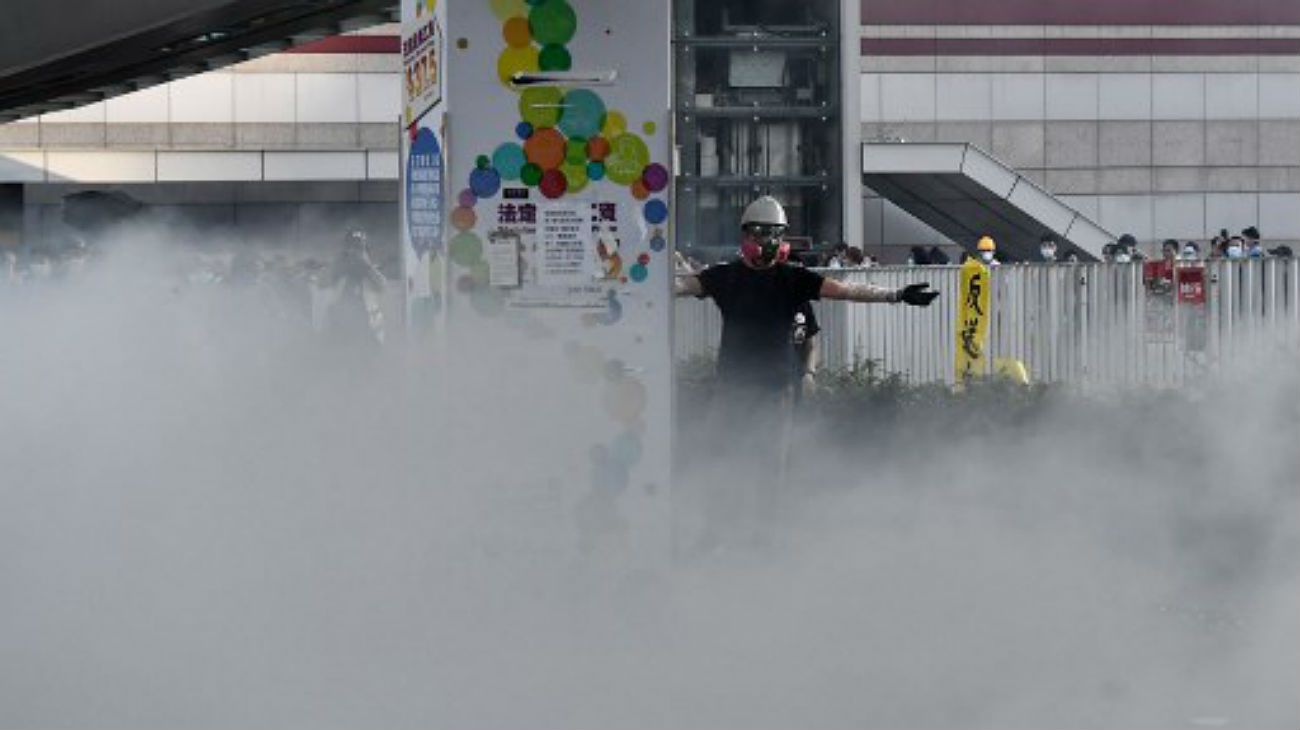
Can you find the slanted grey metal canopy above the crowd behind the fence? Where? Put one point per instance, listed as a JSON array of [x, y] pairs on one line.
[[965, 194]]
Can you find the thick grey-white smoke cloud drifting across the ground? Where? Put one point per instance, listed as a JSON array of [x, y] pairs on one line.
[[209, 519]]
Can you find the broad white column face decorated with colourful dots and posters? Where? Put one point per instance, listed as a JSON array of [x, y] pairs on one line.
[[560, 237]]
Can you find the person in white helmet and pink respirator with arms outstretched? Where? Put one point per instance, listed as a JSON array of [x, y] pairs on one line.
[[760, 298]]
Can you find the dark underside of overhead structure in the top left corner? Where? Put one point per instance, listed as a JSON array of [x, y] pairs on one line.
[[55, 57]]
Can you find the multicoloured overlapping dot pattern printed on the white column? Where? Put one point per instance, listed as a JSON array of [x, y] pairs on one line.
[[566, 140]]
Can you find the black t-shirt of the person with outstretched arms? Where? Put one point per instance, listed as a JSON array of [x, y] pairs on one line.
[[759, 310]]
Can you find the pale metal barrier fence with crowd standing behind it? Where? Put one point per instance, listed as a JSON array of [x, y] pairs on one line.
[[1087, 324]]
